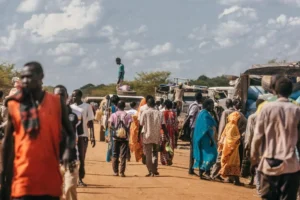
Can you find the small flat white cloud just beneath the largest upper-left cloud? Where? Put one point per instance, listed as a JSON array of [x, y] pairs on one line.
[[67, 49]]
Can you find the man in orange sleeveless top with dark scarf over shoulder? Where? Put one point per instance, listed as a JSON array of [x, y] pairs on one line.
[[32, 139]]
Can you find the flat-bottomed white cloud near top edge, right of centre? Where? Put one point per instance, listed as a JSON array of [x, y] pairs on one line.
[[238, 12]]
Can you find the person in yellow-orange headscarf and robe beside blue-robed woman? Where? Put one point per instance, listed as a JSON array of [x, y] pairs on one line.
[[229, 145]]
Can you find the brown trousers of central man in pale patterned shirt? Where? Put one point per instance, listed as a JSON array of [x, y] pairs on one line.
[[151, 152]]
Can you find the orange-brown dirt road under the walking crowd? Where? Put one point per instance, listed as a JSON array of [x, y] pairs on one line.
[[174, 182]]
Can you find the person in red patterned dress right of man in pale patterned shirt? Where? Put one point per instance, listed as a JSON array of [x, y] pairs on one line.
[[168, 143]]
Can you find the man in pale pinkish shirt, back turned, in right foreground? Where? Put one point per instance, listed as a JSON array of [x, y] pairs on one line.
[[277, 136]]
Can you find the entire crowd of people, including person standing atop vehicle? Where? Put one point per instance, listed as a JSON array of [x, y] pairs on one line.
[[46, 137]]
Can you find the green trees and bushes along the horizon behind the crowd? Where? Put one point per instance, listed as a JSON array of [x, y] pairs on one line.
[[144, 83]]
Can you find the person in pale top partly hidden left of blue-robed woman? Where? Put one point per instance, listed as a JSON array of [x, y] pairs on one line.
[[190, 122]]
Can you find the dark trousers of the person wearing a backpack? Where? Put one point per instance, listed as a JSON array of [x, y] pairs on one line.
[[119, 151]]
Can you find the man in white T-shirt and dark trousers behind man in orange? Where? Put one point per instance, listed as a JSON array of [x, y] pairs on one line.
[[85, 114]]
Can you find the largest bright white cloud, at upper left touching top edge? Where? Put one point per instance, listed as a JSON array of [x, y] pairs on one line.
[[75, 16]]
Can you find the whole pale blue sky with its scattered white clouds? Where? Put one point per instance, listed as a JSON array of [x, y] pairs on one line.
[[77, 41]]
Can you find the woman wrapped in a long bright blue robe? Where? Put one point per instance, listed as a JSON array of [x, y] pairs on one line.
[[204, 146]]
